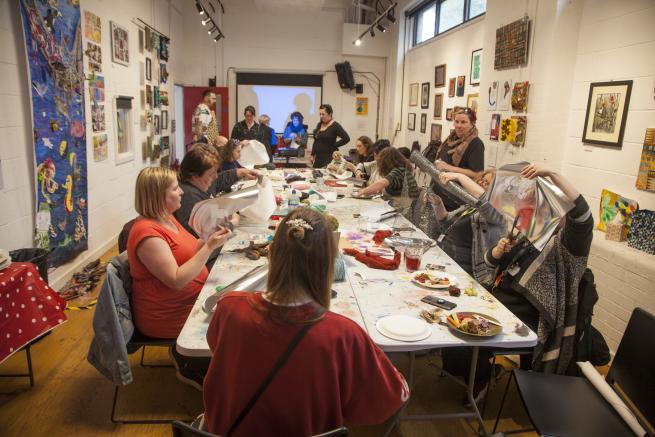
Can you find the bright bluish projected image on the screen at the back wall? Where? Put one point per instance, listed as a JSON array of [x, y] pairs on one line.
[[278, 102]]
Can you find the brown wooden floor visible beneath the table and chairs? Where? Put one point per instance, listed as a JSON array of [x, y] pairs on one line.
[[70, 398]]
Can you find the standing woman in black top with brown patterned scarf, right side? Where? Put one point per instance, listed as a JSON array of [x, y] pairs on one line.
[[462, 152]]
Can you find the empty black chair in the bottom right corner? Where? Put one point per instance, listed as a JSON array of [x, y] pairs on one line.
[[571, 406]]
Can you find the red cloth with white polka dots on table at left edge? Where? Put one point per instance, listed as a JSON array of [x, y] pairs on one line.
[[28, 307]]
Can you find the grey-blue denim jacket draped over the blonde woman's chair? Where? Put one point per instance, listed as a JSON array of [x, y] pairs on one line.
[[112, 324]]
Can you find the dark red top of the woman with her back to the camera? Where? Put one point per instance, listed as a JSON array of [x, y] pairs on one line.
[[335, 374]]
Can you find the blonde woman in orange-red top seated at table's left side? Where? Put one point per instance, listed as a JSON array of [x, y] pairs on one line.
[[167, 263]]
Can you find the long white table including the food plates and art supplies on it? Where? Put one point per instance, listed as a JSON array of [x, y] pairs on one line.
[[385, 300]]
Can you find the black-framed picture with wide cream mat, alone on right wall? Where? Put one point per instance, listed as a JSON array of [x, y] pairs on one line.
[[607, 111]]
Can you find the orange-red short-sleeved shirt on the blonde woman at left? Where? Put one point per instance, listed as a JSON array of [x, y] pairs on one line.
[[160, 311]]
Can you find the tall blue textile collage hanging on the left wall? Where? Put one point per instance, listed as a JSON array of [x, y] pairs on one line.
[[54, 54]]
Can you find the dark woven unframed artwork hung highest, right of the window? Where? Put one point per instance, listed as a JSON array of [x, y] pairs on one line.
[[512, 44]]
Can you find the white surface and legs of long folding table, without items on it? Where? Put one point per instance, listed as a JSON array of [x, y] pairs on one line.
[[368, 295]]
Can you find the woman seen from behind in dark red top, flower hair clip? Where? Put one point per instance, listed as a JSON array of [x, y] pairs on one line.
[[333, 372]]
